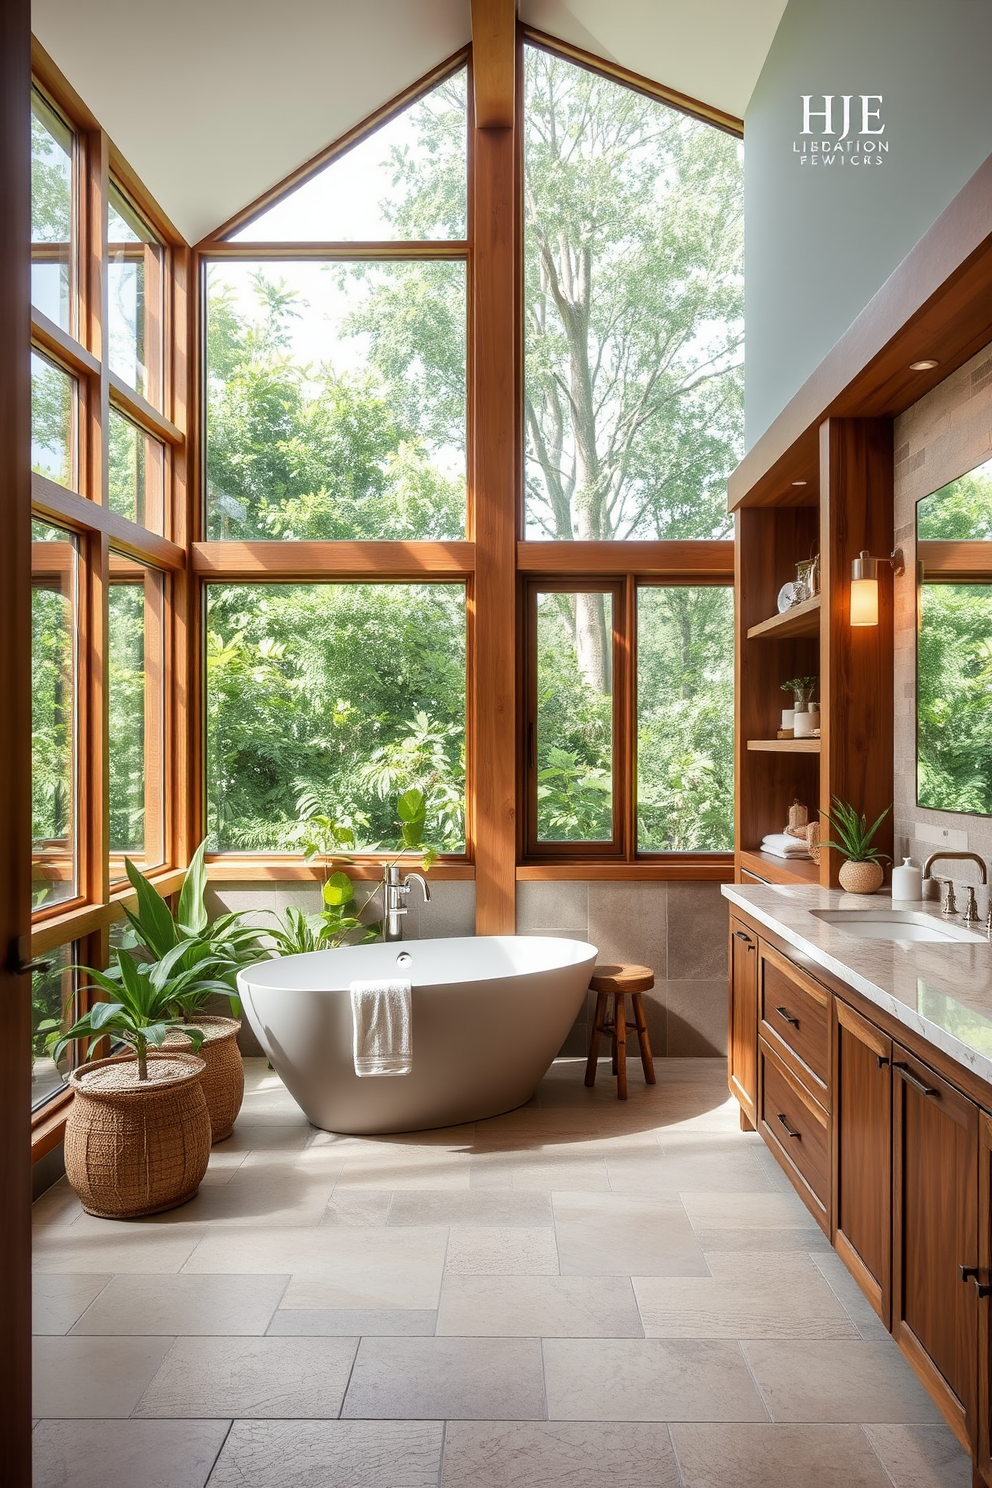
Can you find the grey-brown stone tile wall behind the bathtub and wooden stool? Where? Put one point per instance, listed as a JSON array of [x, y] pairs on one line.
[[677, 929]]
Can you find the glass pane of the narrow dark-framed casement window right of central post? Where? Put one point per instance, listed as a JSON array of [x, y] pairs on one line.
[[575, 718]]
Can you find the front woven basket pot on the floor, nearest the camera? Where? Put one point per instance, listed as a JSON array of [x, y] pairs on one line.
[[138, 1148]]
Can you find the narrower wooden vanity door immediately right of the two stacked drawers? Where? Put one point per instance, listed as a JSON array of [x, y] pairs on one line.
[[863, 1155]]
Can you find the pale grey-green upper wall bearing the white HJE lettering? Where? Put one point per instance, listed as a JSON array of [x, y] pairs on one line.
[[820, 242]]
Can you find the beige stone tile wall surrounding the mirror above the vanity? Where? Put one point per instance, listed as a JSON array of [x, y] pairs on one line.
[[938, 440]]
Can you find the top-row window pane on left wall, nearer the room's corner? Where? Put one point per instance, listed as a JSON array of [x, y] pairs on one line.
[[135, 306]]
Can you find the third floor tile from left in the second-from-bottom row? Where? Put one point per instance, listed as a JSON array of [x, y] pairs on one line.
[[448, 1379]]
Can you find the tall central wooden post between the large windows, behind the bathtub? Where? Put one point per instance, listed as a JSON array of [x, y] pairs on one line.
[[496, 477]]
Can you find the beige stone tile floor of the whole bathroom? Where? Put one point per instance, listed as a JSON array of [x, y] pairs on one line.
[[581, 1294]]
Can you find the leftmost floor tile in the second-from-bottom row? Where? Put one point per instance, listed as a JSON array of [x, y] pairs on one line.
[[91, 1379]]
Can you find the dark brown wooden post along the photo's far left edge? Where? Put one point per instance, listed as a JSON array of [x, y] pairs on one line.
[[16, 742]]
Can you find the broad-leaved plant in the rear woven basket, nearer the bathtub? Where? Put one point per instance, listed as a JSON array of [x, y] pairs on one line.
[[204, 959]]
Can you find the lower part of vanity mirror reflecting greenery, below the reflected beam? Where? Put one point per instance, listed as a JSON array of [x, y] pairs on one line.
[[954, 697]]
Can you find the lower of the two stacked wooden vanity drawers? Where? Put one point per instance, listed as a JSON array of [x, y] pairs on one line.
[[798, 1132]]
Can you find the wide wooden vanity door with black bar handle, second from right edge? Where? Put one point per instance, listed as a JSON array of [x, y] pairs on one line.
[[936, 1233]]
